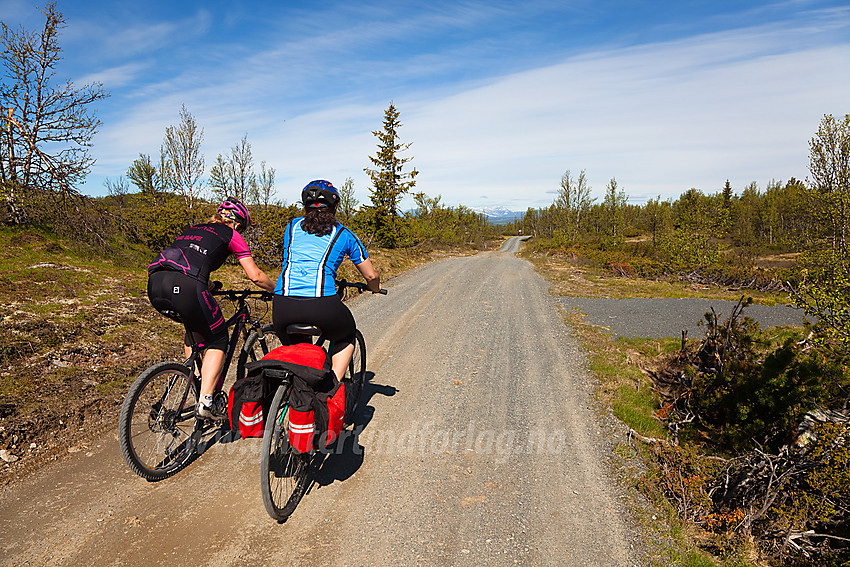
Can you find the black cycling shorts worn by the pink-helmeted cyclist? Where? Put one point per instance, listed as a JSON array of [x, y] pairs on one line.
[[192, 300]]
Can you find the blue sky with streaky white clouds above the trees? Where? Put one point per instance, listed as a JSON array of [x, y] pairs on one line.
[[498, 98]]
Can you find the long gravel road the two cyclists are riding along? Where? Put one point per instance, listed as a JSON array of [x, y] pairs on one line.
[[477, 445]]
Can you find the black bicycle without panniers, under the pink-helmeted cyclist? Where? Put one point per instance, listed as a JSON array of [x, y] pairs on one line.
[[158, 428]]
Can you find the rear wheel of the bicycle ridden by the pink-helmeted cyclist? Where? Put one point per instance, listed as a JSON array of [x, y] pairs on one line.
[[157, 421]]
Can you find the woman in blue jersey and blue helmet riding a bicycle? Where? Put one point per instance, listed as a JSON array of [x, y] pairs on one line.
[[314, 246]]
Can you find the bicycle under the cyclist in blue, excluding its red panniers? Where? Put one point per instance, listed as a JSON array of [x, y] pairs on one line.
[[284, 472]]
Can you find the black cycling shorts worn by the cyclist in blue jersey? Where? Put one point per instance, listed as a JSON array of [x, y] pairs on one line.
[[328, 313]]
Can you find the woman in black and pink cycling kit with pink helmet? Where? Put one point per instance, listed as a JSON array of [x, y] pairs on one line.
[[178, 284]]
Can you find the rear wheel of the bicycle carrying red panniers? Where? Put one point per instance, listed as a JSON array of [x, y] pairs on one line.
[[283, 471]]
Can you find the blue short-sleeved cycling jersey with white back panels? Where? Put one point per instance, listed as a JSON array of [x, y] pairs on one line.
[[310, 262]]
